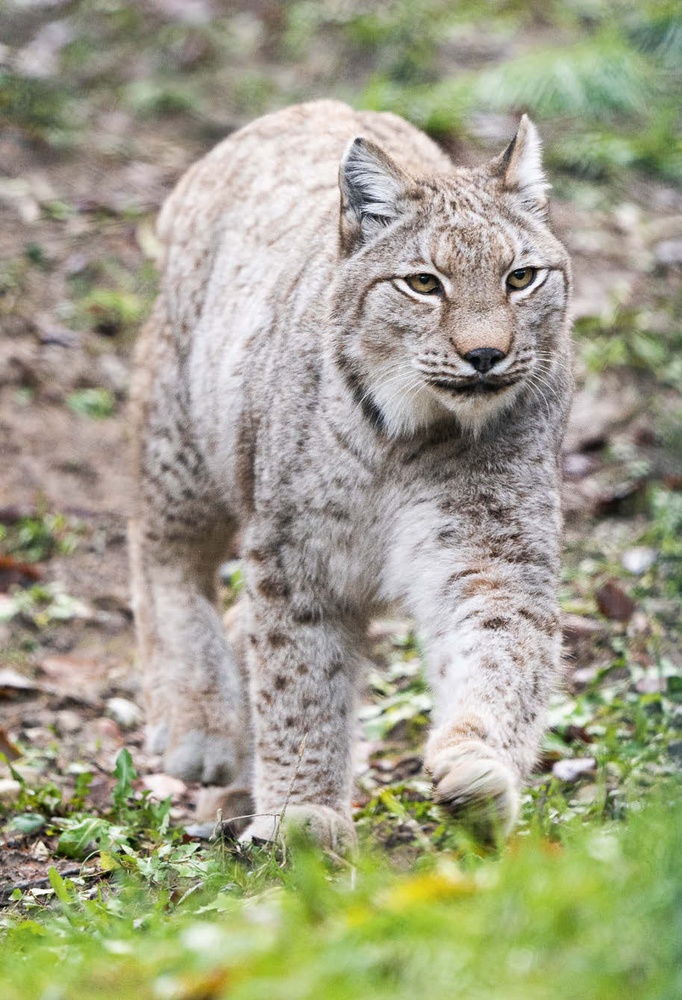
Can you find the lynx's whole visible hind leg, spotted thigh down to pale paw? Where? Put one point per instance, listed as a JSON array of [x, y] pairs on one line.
[[196, 700]]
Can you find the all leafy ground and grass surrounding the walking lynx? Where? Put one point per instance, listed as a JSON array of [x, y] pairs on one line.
[[103, 104]]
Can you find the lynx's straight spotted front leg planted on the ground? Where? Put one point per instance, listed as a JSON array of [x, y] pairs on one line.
[[302, 666]]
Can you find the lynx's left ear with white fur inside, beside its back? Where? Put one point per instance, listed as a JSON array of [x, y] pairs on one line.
[[371, 187]]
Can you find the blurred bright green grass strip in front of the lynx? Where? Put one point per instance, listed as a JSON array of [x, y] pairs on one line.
[[601, 917]]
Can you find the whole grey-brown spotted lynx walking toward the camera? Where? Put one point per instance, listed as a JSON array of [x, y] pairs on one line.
[[357, 372]]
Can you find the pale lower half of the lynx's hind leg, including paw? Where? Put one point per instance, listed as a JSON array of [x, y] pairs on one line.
[[195, 698]]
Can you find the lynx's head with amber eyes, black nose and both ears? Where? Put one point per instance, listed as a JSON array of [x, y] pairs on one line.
[[452, 291]]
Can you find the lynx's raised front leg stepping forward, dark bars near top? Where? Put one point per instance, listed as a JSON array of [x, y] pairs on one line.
[[487, 604]]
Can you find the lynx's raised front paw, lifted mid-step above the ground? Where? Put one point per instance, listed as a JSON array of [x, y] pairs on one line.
[[471, 781]]
